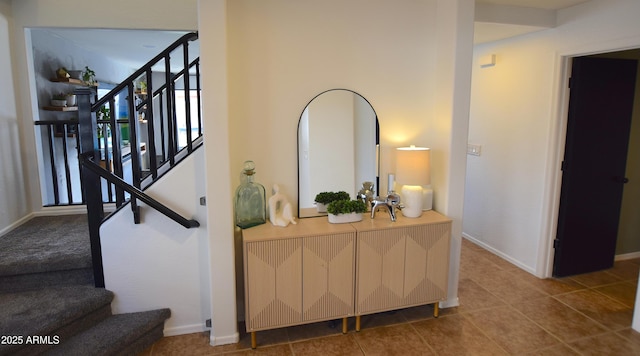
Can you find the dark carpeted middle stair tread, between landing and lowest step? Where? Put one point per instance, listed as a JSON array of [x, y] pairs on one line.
[[43, 312]]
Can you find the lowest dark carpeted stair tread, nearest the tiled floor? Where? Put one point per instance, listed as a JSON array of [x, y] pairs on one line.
[[116, 334]]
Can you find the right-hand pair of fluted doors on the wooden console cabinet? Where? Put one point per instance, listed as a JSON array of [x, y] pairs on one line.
[[402, 266]]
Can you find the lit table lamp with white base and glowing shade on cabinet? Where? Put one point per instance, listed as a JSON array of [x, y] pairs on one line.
[[412, 170]]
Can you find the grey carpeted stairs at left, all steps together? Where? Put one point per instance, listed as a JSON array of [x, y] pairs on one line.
[[48, 304]]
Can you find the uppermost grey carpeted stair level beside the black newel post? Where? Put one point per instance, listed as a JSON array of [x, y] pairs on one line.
[[46, 243]]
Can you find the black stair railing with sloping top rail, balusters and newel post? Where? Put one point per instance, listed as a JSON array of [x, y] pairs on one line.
[[134, 134]]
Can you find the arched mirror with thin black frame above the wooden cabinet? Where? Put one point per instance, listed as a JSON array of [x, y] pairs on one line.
[[338, 138]]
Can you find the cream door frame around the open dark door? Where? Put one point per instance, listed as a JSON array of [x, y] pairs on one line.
[[557, 141]]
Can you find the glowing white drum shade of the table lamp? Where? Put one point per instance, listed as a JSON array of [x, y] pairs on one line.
[[412, 165]]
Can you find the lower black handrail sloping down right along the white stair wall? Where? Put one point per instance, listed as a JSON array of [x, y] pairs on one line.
[[87, 162]]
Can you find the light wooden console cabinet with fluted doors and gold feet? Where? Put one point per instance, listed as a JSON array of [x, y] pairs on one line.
[[315, 271]]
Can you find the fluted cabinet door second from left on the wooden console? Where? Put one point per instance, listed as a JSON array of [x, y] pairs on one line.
[[328, 276]]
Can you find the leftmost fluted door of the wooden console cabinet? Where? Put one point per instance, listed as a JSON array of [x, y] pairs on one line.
[[273, 283]]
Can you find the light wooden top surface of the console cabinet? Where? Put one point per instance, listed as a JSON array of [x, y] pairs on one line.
[[321, 226]]
